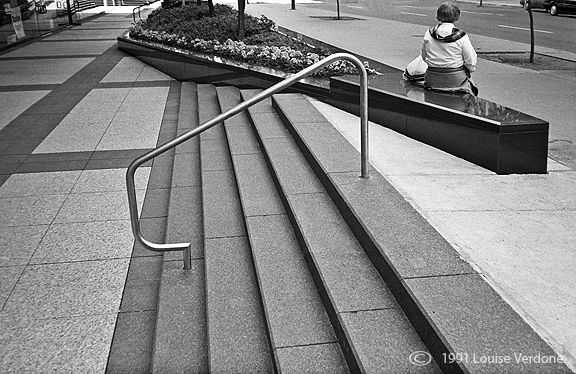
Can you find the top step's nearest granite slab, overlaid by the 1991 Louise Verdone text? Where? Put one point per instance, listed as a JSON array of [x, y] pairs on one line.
[[474, 321]]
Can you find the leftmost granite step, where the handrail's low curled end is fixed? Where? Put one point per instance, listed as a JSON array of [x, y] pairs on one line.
[[180, 337]]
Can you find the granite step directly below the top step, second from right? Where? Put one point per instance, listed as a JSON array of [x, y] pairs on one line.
[[372, 330]]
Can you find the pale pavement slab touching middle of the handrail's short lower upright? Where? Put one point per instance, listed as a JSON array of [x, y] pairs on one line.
[[97, 206]]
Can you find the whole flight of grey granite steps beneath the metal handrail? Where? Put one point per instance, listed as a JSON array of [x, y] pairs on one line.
[[299, 265]]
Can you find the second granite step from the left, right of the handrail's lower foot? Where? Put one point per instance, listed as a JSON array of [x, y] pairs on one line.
[[236, 329]]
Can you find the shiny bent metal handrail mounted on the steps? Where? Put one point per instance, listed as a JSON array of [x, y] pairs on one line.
[[132, 203]]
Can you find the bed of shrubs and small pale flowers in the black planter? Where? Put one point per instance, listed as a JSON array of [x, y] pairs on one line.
[[191, 28]]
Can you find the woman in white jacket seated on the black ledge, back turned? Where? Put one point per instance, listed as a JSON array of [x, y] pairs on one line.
[[449, 54]]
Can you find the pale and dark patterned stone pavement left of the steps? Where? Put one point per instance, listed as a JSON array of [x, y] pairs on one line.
[[74, 112]]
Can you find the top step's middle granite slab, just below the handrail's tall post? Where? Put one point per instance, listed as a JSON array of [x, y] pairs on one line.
[[400, 234]]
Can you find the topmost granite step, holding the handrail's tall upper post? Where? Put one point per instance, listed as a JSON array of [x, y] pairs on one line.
[[464, 323]]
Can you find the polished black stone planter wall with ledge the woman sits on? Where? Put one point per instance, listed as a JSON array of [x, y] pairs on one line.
[[495, 137]]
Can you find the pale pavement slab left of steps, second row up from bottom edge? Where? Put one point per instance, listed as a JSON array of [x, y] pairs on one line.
[[66, 290]]
